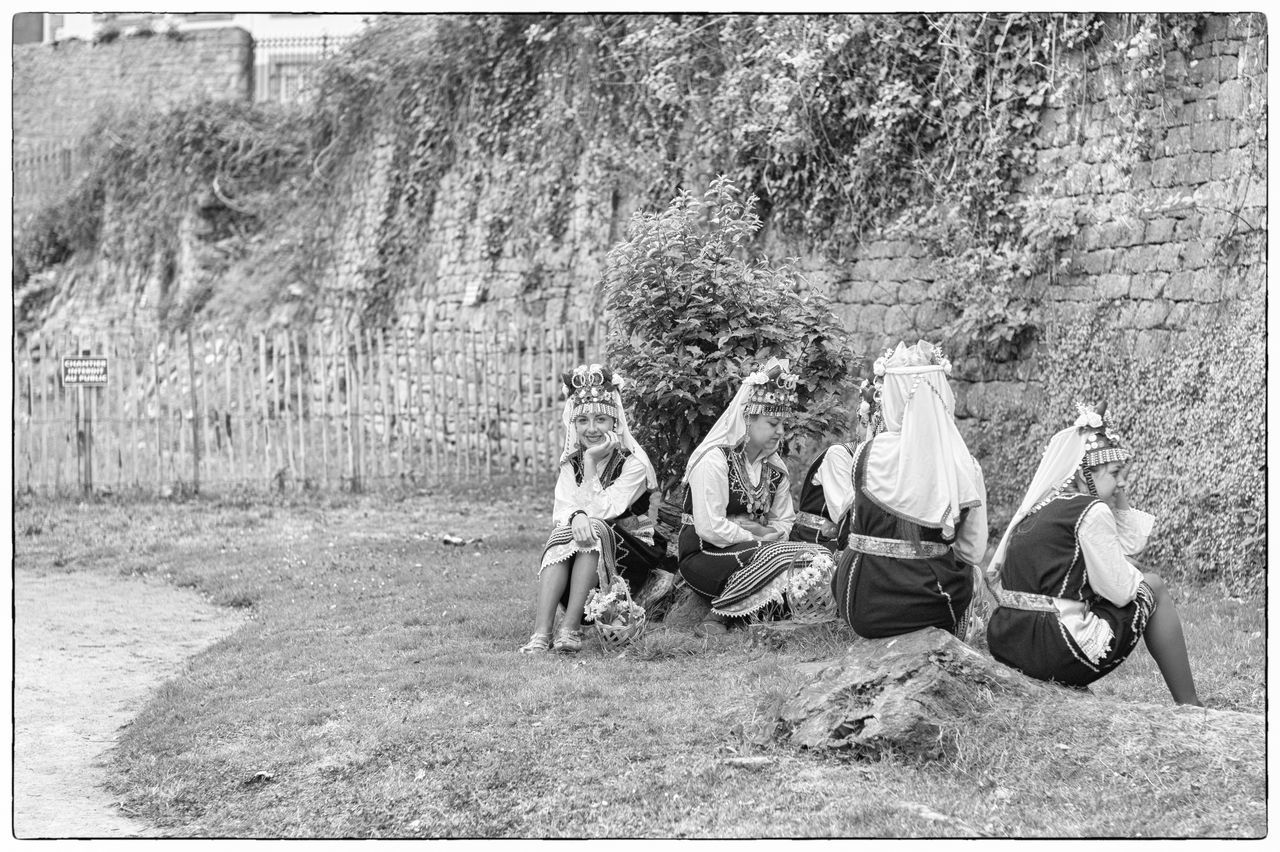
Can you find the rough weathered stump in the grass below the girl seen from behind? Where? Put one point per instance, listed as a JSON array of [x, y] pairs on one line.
[[898, 694]]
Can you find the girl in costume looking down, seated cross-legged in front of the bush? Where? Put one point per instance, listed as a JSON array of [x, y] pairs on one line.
[[738, 509]]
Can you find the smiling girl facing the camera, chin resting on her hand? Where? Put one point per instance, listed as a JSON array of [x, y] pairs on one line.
[[601, 511]]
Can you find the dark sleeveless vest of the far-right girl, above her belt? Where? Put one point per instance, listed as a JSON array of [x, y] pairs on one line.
[[1044, 553]]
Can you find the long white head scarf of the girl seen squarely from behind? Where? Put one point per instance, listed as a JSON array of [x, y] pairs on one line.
[[920, 468]]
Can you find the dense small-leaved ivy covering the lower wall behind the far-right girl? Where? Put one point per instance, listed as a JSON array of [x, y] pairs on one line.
[[1194, 416]]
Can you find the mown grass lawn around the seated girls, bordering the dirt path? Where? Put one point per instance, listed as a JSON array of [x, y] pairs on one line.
[[377, 693]]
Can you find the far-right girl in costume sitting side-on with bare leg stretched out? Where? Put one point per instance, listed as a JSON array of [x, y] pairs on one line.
[[1071, 606]]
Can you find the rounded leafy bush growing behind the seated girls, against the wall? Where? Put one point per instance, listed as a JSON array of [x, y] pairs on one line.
[[691, 315]]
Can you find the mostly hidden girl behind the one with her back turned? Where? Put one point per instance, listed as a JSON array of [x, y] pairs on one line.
[[828, 491]]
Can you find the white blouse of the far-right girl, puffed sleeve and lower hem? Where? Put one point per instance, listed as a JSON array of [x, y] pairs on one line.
[[1107, 539]]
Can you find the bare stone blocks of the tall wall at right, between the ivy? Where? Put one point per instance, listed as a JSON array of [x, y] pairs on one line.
[[1156, 241]]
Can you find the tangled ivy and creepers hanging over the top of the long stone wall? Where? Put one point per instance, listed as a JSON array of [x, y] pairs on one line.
[[839, 125]]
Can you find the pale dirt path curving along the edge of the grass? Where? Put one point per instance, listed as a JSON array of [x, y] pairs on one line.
[[88, 653]]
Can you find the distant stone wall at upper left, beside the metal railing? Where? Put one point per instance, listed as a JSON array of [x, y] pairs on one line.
[[60, 90]]
